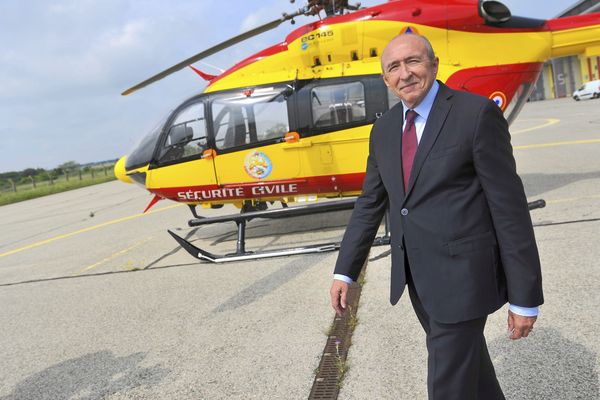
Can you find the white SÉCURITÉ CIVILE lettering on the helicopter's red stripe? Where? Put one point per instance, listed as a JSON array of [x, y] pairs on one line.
[[238, 192]]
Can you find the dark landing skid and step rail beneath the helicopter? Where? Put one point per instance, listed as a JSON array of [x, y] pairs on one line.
[[241, 219]]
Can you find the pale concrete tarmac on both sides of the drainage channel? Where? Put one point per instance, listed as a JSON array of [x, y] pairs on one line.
[[98, 302]]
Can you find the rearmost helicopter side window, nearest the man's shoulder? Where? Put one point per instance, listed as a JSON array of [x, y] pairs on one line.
[[338, 104]]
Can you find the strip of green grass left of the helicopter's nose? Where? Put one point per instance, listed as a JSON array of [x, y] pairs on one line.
[[26, 192]]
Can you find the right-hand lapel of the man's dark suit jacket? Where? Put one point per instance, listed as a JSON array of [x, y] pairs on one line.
[[433, 126]]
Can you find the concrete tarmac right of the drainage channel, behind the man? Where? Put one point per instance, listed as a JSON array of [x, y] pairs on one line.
[[560, 163]]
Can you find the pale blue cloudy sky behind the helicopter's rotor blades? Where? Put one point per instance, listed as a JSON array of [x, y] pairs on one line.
[[64, 64]]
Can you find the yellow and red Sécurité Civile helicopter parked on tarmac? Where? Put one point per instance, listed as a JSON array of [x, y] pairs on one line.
[[291, 123]]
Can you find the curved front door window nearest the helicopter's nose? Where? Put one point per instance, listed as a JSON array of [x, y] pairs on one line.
[[187, 134]]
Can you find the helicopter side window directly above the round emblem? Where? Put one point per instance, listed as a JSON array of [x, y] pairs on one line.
[[250, 116]]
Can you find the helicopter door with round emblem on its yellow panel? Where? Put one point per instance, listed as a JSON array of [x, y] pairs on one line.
[[249, 126]]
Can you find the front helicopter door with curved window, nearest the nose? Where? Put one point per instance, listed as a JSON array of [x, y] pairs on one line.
[[181, 171]]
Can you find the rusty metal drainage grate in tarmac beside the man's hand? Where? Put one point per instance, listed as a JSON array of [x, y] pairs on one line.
[[331, 370]]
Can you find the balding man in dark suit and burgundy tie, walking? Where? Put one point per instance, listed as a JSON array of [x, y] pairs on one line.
[[462, 238]]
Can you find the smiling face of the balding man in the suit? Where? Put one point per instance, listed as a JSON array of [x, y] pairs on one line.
[[407, 69]]
